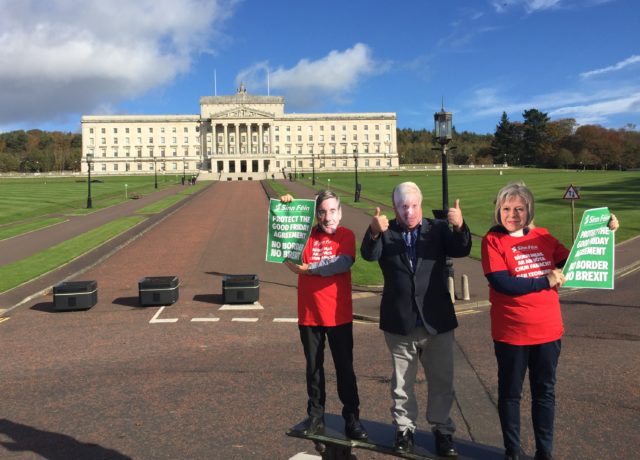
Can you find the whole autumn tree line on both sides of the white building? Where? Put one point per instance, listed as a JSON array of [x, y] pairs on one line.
[[536, 141]]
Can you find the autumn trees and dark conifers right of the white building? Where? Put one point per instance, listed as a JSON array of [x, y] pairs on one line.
[[536, 141]]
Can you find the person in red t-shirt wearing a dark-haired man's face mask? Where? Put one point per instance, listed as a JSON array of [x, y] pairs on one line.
[[325, 312]]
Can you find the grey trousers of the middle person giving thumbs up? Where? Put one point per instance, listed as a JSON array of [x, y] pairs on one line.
[[435, 352]]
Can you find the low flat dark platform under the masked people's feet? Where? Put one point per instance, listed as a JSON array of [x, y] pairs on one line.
[[332, 444]]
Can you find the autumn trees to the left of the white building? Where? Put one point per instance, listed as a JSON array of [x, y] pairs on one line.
[[40, 151]]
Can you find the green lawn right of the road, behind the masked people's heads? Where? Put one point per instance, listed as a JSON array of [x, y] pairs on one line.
[[477, 191]]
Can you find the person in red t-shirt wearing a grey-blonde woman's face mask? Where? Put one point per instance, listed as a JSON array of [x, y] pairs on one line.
[[522, 264]]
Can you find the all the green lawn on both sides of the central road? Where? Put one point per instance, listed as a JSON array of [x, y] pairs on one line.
[[24, 203]]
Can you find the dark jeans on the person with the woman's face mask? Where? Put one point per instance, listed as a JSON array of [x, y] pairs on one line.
[[513, 361]]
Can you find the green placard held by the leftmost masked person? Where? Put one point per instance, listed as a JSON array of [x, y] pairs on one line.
[[289, 229]]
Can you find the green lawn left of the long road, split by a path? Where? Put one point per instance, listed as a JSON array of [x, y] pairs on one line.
[[30, 204]]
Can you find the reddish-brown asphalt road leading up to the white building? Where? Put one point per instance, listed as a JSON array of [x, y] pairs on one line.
[[194, 380]]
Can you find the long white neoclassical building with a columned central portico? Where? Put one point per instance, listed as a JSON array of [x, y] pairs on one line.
[[239, 137]]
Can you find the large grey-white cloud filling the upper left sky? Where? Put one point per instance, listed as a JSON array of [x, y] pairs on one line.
[[60, 57]]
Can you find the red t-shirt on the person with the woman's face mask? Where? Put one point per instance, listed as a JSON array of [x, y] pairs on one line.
[[532, 318]]
